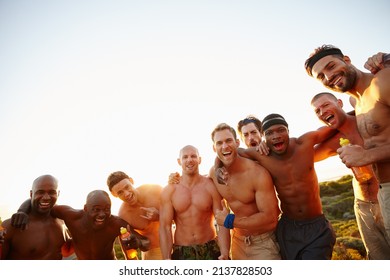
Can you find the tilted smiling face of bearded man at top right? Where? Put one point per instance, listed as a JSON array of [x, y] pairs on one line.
[[335, 73]]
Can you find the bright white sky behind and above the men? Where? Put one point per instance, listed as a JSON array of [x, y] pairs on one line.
[[91, 87]]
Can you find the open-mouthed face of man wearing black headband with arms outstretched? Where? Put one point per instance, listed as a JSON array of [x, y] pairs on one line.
[[277, 138]]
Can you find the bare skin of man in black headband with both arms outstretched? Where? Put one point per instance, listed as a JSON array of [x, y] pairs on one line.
[[291, 164]]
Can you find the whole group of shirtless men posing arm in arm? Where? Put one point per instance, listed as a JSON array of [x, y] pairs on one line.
[[262, 202]]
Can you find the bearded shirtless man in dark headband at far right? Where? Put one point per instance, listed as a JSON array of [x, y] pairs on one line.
[[371, 98]]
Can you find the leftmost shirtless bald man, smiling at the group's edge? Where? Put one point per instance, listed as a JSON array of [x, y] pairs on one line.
[[45, 236]]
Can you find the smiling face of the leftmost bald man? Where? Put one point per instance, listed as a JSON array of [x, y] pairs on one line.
[[44, 194]]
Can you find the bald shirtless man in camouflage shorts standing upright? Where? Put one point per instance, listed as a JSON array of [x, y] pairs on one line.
[[192, 204]]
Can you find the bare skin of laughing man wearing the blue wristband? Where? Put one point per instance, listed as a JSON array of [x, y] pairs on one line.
[[250, 191]]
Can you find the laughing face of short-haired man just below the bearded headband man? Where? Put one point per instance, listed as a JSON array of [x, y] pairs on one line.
[[329, 110]]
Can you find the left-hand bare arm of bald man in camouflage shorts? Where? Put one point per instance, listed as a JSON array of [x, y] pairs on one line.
[[166, 217]]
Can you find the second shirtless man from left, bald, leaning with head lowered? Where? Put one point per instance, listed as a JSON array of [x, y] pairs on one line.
[[93, 228]]
